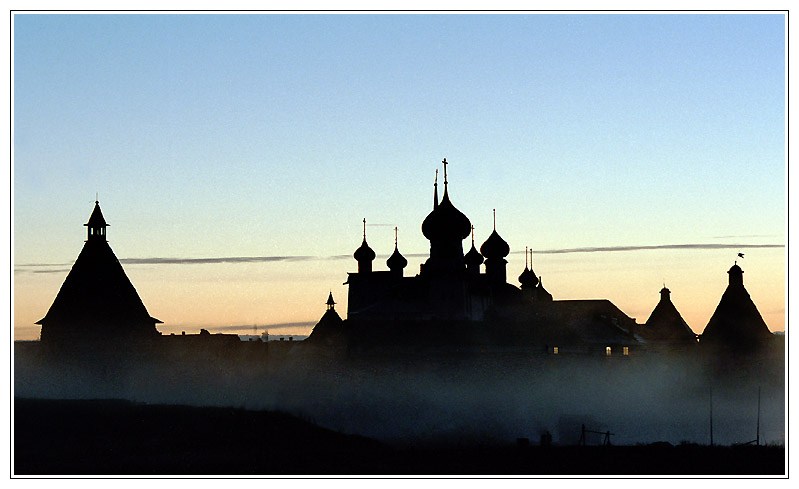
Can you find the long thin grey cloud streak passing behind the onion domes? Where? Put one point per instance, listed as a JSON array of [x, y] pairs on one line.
[[43, 267]]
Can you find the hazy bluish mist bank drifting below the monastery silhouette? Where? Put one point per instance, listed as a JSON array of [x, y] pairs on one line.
[[423, 398]]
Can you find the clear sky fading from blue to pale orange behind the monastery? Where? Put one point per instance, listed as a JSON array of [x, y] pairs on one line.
[[235, 156]]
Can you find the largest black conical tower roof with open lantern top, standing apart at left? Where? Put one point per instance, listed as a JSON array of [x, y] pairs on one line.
[[97, 301]]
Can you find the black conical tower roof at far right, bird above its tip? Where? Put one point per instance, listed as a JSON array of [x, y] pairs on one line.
[[736, 323]]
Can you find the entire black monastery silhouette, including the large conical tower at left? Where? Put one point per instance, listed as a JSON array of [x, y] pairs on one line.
[[457, 302]]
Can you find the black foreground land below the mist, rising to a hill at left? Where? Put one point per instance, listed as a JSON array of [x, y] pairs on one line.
[[105, 437]]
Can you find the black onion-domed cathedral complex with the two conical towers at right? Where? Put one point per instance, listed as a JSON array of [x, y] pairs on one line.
[[451, 302]]
